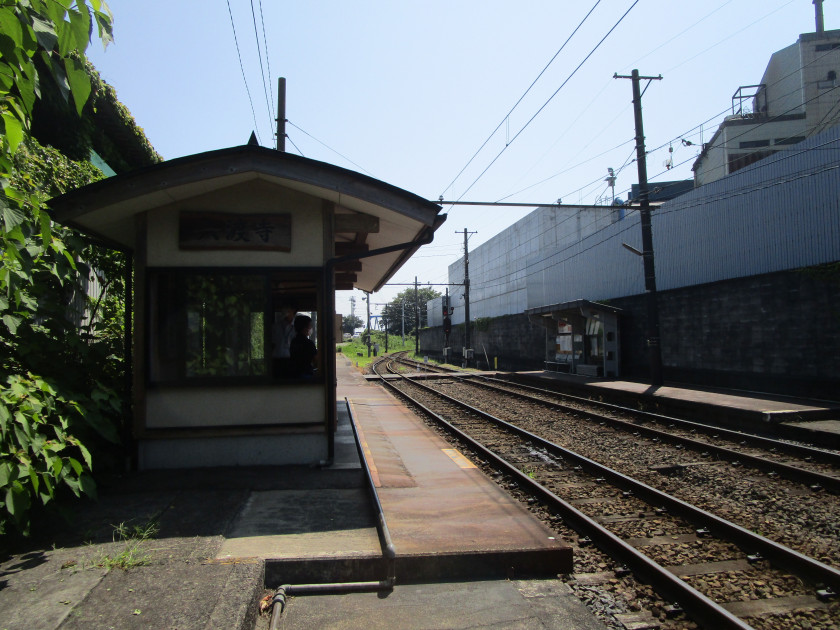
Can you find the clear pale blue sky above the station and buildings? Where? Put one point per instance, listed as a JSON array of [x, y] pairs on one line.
[[409, 91]]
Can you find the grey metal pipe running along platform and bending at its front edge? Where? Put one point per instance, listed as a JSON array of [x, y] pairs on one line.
[[389, 552]]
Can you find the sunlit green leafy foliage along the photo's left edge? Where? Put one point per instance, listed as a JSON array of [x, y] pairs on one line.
[[51, 408]]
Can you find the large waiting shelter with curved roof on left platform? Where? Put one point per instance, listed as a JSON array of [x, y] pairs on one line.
[[221, 243]]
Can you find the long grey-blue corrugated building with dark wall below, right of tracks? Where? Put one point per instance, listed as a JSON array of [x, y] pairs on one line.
[[747, 292]]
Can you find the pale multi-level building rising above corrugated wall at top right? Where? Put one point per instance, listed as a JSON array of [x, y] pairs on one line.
[[799, 96]]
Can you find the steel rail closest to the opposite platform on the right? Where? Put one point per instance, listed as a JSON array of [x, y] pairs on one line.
[[828, 457]]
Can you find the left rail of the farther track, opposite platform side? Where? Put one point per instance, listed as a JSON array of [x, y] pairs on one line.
[[795, 473]]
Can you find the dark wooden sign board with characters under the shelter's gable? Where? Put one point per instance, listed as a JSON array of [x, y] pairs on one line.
[[220, 230]]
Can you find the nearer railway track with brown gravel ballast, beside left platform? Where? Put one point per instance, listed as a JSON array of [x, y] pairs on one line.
[[720, 572]]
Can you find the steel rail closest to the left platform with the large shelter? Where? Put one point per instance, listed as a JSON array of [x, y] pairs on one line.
[[702, 608]]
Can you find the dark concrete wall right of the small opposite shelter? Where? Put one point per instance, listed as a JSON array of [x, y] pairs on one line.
[[777, 332]]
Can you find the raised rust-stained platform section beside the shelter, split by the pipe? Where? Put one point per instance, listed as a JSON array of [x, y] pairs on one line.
[[446, 518]]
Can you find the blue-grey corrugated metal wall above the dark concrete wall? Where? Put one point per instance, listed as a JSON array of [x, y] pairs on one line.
[[780, 213]]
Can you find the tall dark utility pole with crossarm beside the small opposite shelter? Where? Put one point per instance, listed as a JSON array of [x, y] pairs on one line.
[[653, 340]]
